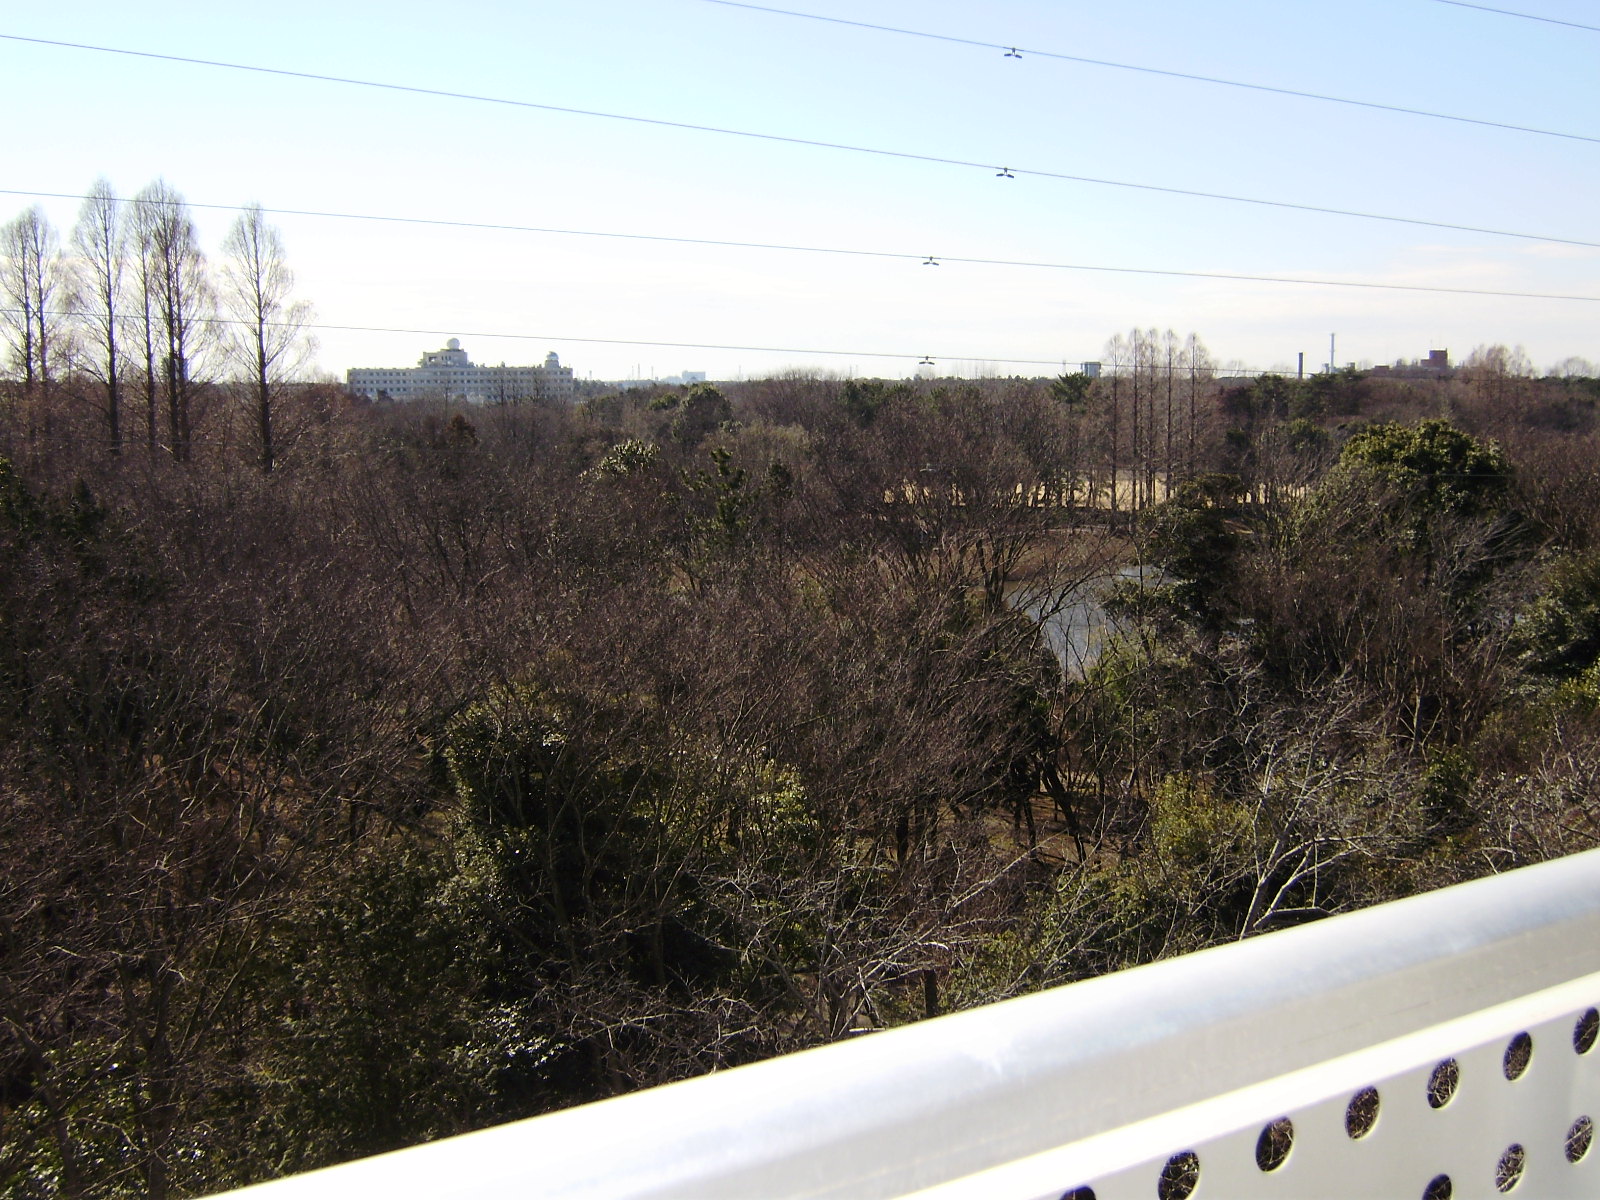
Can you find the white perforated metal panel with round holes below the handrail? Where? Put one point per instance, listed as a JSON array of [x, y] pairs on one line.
[[1444, 1110]]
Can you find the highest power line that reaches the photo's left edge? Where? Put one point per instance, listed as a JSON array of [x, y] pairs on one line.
[[905, 156]]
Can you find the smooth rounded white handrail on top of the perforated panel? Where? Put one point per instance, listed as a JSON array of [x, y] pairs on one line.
[[945, 1102]]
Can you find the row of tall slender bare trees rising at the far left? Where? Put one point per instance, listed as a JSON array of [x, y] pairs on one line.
[[132, 319]]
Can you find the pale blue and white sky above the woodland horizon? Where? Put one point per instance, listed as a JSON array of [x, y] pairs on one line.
[[615, 303]]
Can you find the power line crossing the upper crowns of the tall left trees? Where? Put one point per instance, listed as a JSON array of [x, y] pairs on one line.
[[903, 257]]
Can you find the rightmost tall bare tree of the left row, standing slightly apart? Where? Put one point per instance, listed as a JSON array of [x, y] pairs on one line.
[[270, 338]]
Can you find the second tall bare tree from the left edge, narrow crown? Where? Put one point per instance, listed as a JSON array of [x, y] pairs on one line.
[[102, 258]]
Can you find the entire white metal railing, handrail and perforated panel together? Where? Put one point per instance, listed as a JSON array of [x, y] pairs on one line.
[[1436, 1047]]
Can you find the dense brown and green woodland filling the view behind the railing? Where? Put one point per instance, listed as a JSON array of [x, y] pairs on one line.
[[476, 762]]
